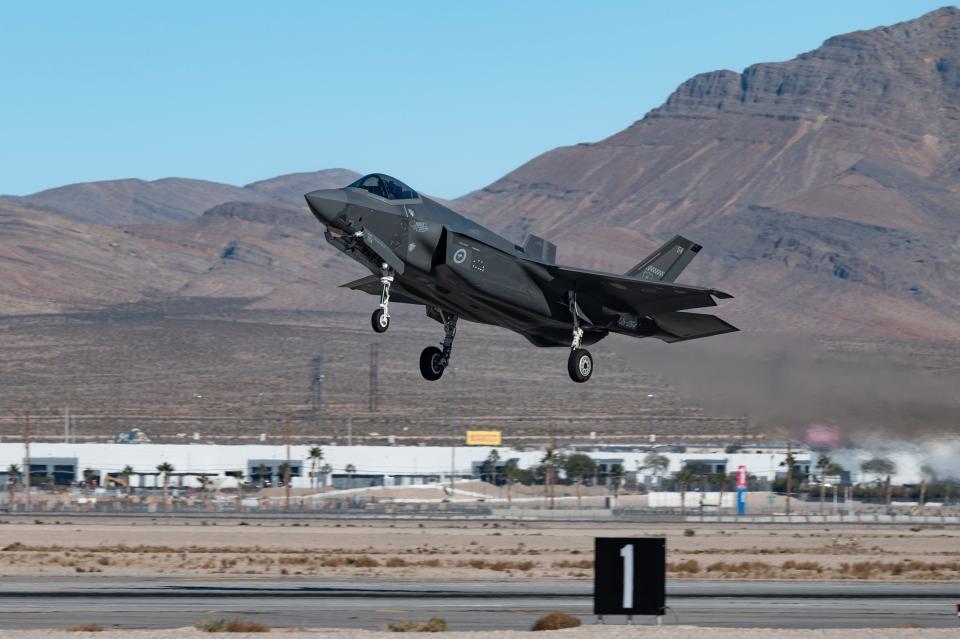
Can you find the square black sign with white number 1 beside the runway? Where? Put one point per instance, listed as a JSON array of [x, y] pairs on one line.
[[629, 576]]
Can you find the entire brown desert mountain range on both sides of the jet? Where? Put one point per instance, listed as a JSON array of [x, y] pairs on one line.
[[825, 190]]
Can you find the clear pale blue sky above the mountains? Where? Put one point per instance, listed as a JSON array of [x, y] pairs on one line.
[[448, 96]]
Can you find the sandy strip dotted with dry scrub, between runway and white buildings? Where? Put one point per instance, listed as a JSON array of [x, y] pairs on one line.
[[434, 551]]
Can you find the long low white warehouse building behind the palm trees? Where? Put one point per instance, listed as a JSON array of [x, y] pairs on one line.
[[389, 465]]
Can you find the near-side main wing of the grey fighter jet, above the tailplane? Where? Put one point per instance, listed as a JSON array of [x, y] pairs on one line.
[[623, 294]]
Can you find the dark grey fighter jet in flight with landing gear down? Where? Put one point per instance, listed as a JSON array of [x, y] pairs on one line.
[[421, 252]]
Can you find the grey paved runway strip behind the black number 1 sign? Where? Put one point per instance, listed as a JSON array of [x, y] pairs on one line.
[[158, 602]]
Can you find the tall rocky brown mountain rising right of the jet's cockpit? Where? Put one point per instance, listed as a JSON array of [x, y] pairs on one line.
[[826, 189]]
